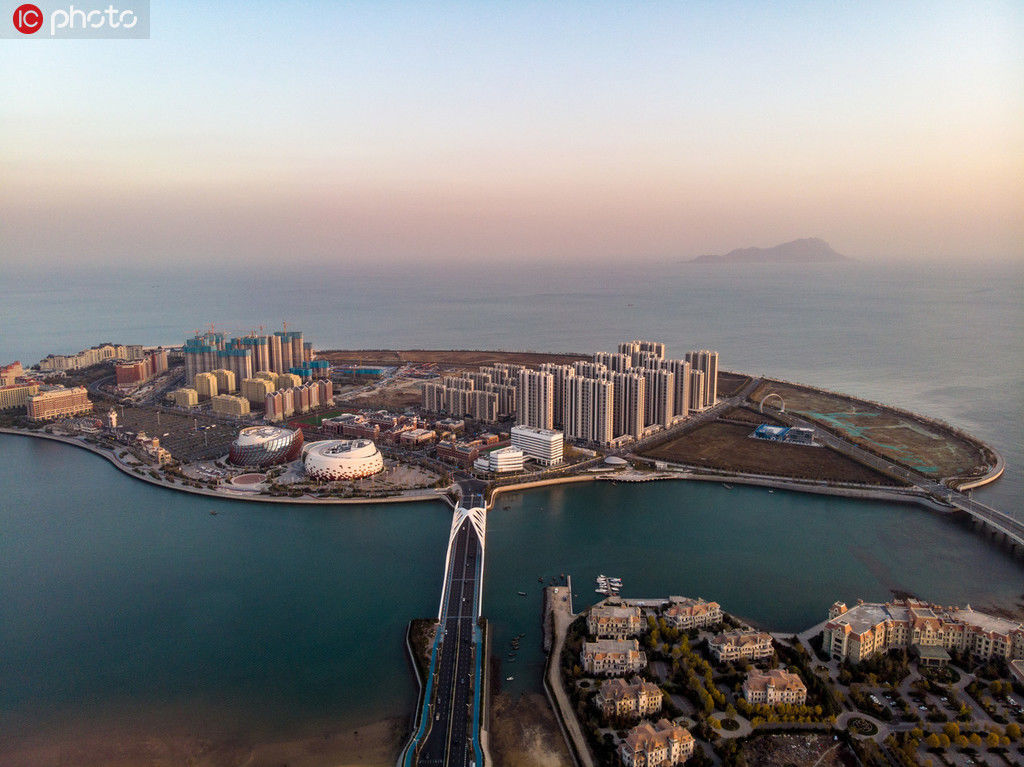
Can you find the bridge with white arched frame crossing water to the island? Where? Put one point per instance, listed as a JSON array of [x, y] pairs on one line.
[[450, 738]]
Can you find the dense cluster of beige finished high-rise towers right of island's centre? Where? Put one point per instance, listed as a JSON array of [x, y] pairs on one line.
[[614, 397]]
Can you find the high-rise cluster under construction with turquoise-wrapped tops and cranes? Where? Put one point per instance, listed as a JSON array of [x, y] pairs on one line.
[[283, 352]]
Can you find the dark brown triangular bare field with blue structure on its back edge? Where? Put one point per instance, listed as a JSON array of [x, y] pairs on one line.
[[730, 447]]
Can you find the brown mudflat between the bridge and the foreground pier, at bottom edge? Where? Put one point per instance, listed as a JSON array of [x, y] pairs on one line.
[[525, 734]]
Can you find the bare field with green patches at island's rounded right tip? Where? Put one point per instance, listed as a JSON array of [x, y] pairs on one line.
[[915, 443]]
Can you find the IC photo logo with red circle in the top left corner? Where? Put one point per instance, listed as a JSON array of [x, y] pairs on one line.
[[99, 20]]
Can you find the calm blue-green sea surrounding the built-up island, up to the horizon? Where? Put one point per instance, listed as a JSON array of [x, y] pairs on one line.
[[125, 601]]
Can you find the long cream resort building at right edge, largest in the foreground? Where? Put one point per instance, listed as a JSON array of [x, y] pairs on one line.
[[929, 630]]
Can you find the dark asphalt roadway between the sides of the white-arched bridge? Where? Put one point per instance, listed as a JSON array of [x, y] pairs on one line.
[[449, 742]]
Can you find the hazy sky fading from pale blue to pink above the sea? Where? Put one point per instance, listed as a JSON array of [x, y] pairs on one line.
[[378, 132]]
